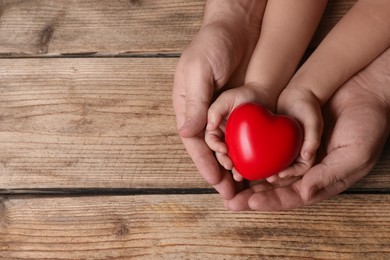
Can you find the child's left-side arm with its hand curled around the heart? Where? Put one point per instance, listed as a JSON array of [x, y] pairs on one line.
[[283, 40]]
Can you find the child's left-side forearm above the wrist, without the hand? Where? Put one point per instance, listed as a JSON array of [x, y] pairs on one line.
[[286, 31]]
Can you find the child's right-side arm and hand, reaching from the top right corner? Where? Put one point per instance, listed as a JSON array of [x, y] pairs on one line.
[[361, 35]]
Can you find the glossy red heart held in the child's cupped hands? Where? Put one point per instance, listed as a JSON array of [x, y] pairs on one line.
[[260, 143]]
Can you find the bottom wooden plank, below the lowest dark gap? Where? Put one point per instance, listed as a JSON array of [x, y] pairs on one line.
[[191, 227]]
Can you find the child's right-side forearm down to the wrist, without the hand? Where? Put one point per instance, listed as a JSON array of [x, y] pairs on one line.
[[362, 35]]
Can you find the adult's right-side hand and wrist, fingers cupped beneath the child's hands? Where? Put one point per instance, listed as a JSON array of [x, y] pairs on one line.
[[357, 125]]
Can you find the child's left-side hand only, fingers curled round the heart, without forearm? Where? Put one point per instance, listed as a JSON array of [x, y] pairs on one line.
[[219, 112]]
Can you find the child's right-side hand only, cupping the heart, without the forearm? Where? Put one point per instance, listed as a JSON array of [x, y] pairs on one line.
[[306, 108]]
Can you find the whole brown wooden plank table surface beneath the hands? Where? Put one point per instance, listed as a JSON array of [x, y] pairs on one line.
[[91, 166]]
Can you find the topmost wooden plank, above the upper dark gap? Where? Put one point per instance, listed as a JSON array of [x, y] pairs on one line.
[[101, 27]]
